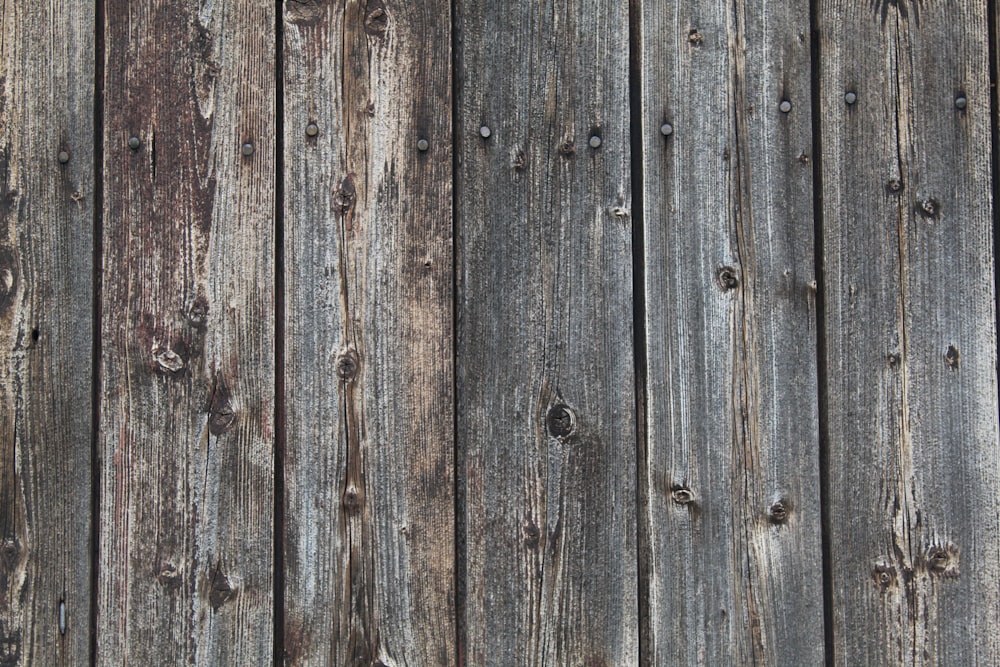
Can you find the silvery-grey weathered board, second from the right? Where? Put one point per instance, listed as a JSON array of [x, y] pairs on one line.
[[731, 498]]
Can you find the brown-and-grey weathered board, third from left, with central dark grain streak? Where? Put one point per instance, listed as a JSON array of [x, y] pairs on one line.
[[369, 547]]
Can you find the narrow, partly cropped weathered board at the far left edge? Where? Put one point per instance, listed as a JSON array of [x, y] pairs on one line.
[[46, 250]]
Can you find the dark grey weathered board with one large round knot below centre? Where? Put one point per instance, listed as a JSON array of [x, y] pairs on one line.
[[545, 387]]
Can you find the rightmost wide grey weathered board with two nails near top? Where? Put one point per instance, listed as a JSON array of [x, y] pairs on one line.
[[911, 339]]
